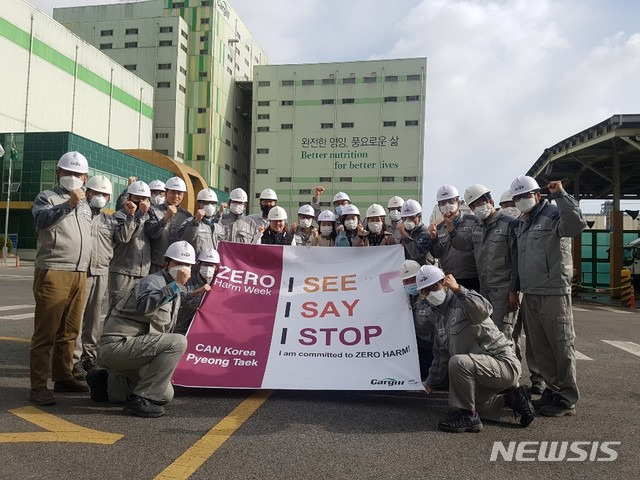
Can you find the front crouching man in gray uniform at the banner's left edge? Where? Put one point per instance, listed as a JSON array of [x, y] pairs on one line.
[[137, 347]]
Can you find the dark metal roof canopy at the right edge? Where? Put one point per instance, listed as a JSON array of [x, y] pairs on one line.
[[586, 162]]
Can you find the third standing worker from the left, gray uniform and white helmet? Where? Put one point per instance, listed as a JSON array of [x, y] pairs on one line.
[[132, 251]]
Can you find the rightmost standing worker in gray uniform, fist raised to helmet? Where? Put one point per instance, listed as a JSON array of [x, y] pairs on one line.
[[545, 267]]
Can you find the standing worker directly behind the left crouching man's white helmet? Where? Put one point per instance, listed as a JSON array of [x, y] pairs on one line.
[[166, 221]]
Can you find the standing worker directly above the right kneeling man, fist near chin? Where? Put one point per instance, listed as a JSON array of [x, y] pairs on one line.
[[454, 231]]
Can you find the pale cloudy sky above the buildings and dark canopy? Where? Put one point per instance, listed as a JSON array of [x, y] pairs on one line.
[[505, 78]]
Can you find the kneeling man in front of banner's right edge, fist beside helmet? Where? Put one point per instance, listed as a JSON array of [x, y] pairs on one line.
[[483, 368]]
